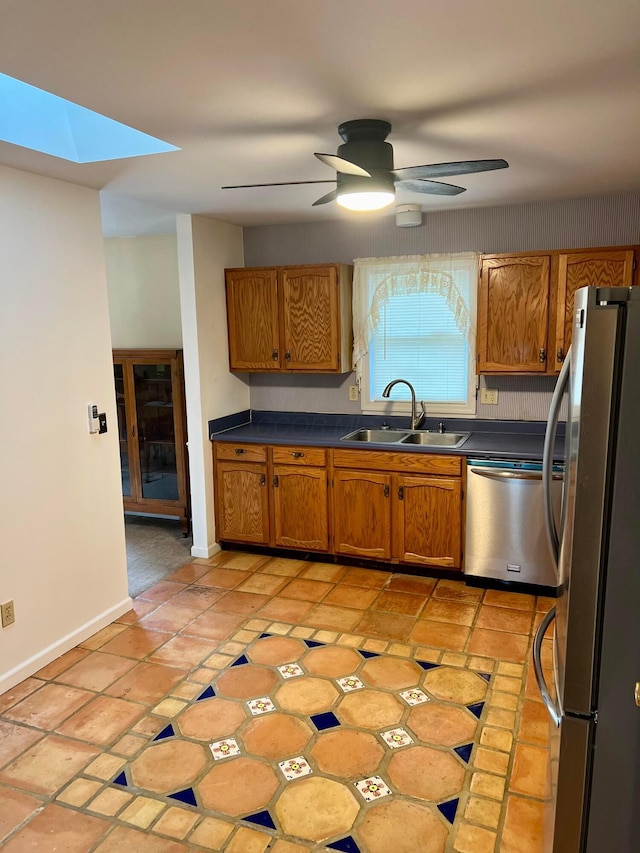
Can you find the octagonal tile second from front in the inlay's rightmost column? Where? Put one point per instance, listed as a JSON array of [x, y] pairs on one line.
[[426, 773]]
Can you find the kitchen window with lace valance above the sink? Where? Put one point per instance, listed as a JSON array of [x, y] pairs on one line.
[[414, 319]]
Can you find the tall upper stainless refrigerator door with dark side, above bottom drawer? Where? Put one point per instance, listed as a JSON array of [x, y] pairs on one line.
[[591, 419]]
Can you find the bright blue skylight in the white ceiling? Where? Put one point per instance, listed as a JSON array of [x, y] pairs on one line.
[[33, 118]]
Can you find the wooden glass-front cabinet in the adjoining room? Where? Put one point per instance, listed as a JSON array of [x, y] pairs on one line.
[[152, 432]]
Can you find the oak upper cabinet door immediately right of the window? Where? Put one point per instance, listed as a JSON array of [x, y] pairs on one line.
[[513, 308]]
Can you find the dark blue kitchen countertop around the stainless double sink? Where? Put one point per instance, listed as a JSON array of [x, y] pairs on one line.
[[517, 440]]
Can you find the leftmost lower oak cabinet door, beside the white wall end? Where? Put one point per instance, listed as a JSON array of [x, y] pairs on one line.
[[242, 502]]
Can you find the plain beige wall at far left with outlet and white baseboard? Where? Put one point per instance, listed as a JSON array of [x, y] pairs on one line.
[[62, 546]]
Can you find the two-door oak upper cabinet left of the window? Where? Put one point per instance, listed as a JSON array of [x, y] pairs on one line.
[[290, 318]]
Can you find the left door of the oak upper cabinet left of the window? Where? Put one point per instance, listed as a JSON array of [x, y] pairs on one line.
[[252, 319]]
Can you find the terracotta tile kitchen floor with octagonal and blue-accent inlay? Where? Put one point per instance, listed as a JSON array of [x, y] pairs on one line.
[[250, 703]]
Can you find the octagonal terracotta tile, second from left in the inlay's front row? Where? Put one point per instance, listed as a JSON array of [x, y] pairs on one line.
[[238, 787]]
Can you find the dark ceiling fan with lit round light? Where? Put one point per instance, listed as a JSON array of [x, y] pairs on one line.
[[366, 178]]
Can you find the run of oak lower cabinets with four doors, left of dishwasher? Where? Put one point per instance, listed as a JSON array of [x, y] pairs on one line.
[[311, 499]]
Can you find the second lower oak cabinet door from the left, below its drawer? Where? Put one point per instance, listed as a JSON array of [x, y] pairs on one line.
[[300, 507]]
